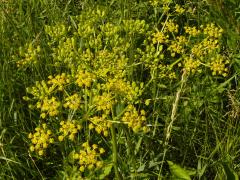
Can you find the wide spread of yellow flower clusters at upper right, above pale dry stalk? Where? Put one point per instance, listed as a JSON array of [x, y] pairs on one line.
[[198, 44]]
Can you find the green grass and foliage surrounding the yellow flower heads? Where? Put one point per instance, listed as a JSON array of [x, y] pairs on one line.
[[193, 119]]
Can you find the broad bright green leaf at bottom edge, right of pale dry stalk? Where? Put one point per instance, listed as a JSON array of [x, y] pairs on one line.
[[178, 172]]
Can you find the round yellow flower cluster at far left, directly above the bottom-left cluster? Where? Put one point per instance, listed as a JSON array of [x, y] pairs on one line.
[[49, 107]]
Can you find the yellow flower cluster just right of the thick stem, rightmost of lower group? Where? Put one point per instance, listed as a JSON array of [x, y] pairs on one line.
[[134, 120]]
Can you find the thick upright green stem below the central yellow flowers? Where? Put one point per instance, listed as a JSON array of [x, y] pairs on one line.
[[114, 149]]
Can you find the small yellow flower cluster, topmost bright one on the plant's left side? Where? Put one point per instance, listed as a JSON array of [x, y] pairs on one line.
[[59, 81]]
